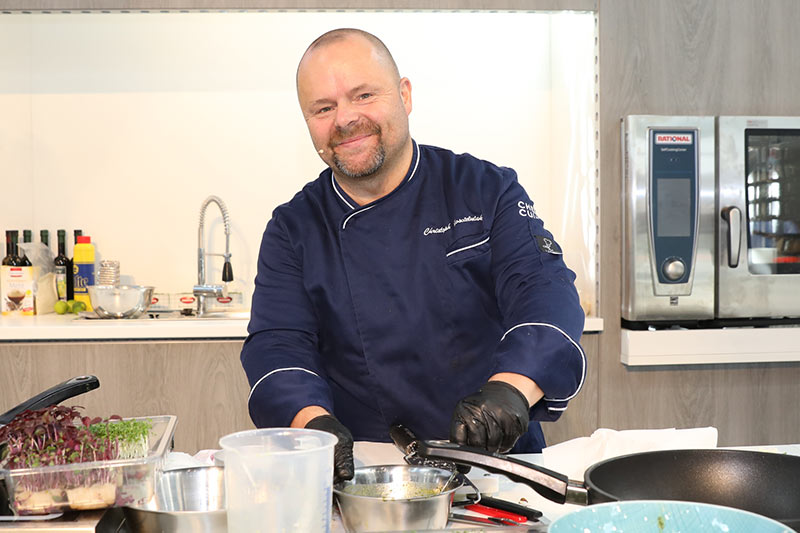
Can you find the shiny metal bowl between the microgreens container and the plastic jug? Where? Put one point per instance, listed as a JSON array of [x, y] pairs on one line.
[[186, 500]]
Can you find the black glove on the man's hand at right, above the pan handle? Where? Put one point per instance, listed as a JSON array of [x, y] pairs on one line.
[[493, 418]]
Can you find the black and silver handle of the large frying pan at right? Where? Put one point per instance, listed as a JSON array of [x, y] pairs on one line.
[[552, 485]]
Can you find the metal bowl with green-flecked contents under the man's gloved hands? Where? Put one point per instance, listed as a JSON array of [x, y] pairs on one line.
[[396, 498]]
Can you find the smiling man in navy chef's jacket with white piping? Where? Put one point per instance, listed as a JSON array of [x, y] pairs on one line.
[[406, 284]]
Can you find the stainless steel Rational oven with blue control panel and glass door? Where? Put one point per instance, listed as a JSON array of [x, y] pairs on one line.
[[711, 220]]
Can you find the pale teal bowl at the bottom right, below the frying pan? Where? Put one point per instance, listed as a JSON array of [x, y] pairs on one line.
[[661, 516]]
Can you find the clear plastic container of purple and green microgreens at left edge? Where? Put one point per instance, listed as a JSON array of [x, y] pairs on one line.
[[59, 460]]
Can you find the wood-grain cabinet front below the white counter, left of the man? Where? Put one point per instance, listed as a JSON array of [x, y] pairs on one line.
[[202, 383]]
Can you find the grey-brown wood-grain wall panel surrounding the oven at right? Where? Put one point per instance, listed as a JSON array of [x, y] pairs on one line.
[[707, 57]]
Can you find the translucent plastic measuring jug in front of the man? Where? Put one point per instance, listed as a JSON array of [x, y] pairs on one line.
[[279, 480]]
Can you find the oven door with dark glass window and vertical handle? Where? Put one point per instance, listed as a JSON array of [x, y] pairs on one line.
[[758, 260]]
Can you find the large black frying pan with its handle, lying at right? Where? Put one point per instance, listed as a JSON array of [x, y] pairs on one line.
[[764, 483]]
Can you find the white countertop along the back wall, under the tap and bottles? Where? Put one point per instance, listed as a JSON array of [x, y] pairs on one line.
[[52, 327]]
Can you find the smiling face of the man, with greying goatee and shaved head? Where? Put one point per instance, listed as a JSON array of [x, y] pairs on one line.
[[355, 106]]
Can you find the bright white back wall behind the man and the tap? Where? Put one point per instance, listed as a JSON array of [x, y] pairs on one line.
[[121, 124]]
